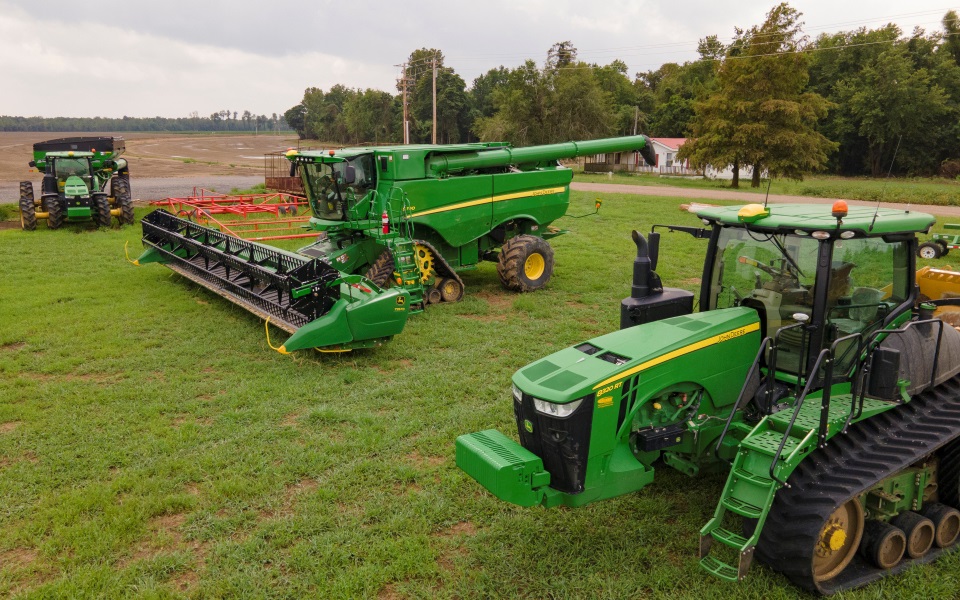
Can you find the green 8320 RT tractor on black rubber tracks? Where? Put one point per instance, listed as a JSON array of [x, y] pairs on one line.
[[812, 373]]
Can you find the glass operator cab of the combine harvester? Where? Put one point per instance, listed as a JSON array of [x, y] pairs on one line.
[[339, 187]]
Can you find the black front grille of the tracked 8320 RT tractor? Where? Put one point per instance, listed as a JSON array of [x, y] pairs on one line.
[[561, 443]]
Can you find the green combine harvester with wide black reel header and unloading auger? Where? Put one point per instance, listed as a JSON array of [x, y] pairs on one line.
[[408, 216]]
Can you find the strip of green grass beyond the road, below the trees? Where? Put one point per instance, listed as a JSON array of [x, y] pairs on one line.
[[913, 190]]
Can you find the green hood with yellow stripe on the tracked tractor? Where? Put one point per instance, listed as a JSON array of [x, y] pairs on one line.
[[573, 373]]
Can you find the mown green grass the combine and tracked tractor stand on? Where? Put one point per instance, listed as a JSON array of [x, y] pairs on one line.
[[153, 446]]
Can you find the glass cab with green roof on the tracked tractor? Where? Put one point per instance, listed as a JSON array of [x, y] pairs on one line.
[[812, 279]]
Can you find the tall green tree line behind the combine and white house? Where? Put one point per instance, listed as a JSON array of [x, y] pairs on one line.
[[771, 98]]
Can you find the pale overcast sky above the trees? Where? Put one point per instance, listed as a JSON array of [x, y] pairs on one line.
[[170, 57]]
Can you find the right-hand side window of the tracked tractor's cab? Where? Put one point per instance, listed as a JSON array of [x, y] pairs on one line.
[[868, 278]]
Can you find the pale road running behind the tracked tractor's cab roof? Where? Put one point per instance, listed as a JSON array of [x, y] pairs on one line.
[[707, 195]]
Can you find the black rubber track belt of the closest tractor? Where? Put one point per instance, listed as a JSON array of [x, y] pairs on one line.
[[850, 464]]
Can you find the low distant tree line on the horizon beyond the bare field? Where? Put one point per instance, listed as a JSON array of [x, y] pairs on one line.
[[224, 120]]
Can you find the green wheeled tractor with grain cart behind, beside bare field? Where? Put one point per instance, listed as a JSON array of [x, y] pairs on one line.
[[76, 173]]
